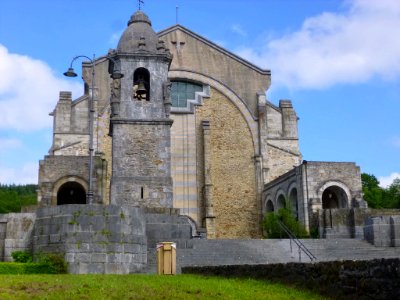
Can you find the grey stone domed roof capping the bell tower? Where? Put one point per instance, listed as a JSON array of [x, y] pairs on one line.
[[139, 36]]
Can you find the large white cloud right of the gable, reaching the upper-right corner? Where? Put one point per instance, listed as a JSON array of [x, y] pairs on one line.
[[331, 48]]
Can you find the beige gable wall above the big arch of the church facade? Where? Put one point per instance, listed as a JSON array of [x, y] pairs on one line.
[[192, 52]]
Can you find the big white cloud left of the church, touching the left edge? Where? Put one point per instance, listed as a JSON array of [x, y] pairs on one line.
[[28, 91]]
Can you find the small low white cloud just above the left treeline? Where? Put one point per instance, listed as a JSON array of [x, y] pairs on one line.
[[27, 175]]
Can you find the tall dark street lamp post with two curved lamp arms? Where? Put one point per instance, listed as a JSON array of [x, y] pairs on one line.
[[116, 74]]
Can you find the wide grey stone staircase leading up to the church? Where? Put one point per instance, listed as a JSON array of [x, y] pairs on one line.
[[202, 252]]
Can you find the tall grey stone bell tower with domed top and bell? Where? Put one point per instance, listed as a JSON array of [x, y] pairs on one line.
[[140, 124]]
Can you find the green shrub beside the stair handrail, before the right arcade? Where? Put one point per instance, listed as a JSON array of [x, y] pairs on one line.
[[273, 230]]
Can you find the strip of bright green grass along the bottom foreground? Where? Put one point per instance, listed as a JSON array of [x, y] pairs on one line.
[[142, 287]]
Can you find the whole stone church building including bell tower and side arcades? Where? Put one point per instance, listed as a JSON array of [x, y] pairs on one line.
[[187, 127]]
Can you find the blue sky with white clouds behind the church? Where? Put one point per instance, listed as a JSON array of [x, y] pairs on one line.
[[338, 61]]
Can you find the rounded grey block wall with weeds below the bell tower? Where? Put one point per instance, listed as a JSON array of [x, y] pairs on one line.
[[94, 238]]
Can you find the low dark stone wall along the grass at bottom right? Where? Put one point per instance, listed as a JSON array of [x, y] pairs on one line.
[[375, 279]]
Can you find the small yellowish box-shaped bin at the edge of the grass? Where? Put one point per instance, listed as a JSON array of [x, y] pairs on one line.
[[166, 258]]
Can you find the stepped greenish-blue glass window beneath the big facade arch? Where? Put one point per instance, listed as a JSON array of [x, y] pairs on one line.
[[182, 91]]
